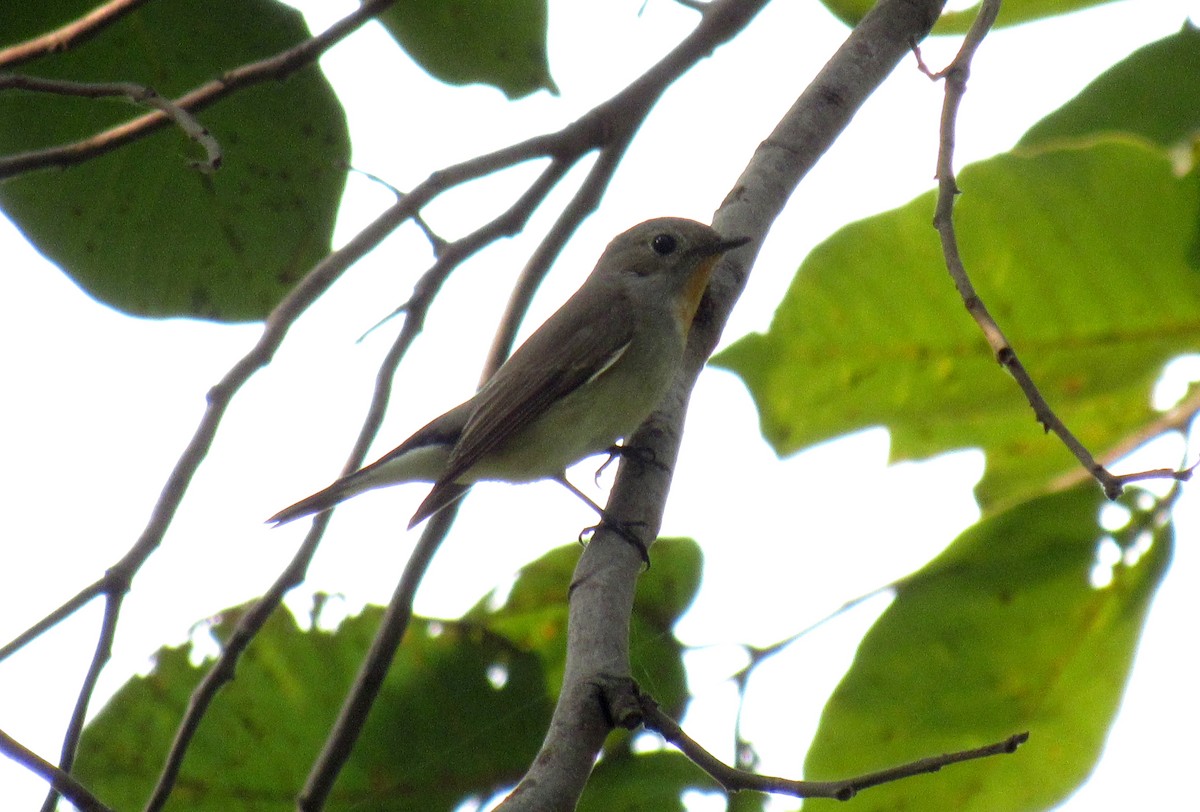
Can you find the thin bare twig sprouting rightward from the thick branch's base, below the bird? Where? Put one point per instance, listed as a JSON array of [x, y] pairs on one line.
[[735, 780]]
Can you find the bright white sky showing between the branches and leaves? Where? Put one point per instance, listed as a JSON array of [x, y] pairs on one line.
[[100, 406]]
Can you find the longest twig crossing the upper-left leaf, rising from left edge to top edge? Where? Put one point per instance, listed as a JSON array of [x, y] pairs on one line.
[[274, 68]]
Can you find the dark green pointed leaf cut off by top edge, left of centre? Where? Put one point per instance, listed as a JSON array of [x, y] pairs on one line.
[[496, 43]]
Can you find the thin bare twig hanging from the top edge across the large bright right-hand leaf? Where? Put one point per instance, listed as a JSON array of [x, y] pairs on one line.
[[956, 79]]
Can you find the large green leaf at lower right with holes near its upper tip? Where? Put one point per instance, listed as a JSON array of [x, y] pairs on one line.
[[1001, 634]]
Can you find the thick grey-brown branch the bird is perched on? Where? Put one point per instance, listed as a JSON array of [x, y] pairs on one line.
[[603, 588]]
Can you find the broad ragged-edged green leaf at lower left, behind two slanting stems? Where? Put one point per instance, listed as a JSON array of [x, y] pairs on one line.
[[452, 688]]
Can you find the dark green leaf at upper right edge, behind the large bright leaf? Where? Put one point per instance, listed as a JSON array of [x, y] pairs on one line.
[[1154, 93]]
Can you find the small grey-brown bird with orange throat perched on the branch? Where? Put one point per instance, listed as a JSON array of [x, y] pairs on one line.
[[587, 377]]
